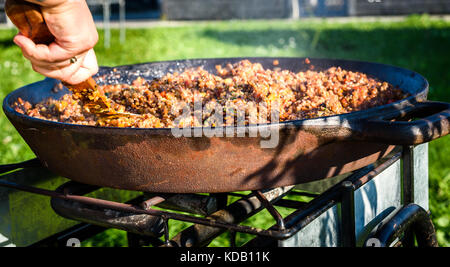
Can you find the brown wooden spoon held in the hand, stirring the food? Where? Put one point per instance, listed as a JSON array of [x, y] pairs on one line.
[[29, 20]]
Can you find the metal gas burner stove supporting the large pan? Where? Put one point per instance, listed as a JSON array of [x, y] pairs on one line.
[[374, 206]]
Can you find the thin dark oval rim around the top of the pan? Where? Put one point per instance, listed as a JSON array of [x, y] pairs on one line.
[[419, 96]]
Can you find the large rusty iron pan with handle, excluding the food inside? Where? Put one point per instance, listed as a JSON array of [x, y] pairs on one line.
[[153, 160]]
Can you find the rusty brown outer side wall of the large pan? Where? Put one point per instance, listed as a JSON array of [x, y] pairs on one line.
[[184, 165]]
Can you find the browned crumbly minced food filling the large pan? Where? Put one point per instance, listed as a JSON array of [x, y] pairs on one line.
[[233, 88]]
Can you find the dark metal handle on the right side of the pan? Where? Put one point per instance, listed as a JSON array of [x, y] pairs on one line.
[[433, 122]]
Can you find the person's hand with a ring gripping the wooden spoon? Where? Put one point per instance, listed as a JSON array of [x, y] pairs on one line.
[[70, 57]]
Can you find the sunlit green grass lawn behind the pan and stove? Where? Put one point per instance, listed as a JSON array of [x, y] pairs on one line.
[[418, 43]]
